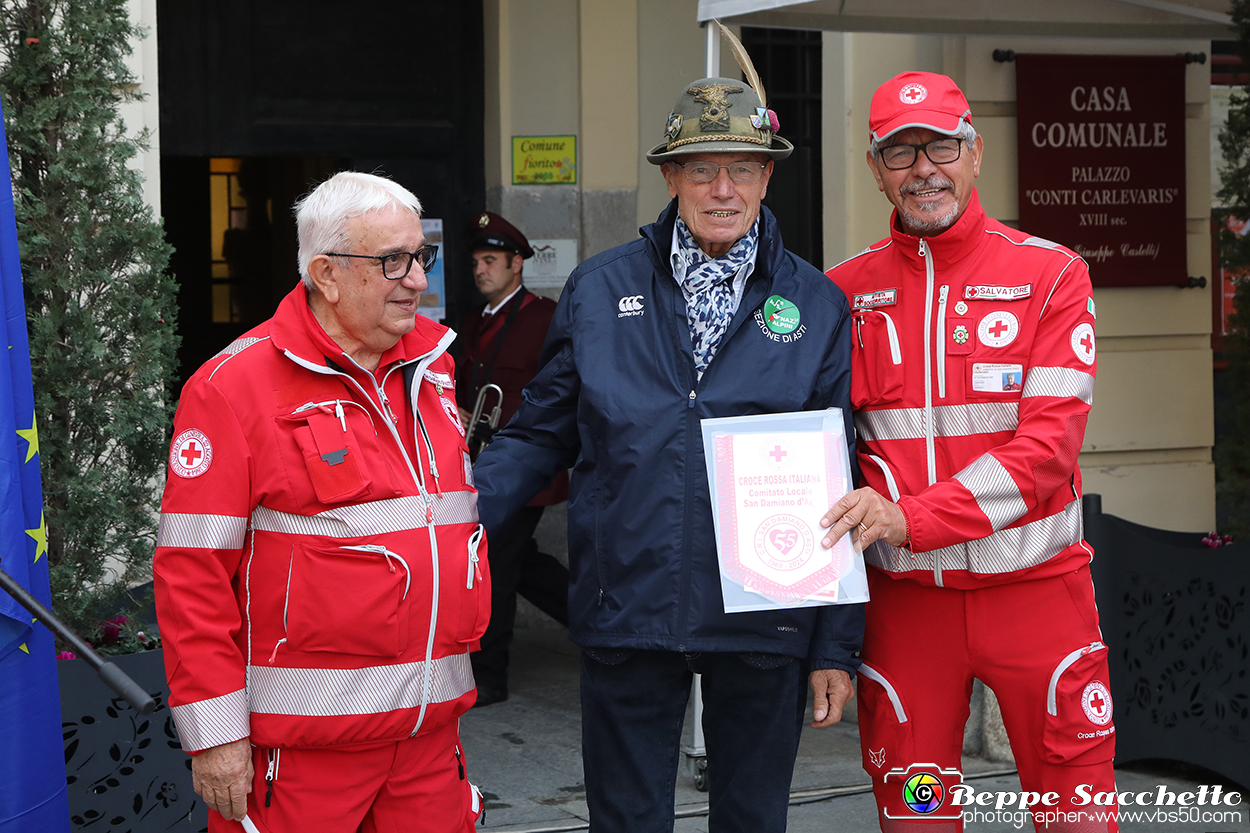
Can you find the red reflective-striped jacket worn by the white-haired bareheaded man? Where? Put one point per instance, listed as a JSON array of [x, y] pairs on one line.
[[321, 573]]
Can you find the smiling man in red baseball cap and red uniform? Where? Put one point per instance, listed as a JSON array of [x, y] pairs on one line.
[[972, 511]]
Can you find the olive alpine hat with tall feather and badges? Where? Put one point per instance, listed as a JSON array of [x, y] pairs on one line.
[[722, 116]]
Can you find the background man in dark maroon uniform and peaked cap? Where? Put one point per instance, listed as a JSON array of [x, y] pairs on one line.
[[504, 338]]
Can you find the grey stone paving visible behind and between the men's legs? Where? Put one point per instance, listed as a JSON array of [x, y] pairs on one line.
[[526, 755]]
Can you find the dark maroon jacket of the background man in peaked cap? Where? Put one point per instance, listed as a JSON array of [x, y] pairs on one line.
[[516, 366]]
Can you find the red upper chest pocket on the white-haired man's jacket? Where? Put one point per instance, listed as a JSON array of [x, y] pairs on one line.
[[341, 451]]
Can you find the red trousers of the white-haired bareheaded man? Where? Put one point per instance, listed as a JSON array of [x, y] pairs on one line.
[[416, 785]]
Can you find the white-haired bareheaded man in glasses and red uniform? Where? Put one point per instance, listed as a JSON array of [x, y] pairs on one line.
[[321, 572]]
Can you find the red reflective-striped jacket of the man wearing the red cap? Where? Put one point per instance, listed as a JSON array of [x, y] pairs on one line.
[[984, 470]]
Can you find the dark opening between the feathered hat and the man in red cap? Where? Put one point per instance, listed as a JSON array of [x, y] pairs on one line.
[[789, 66]]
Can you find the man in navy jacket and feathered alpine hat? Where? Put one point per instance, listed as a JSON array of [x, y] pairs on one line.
[[648, 340]]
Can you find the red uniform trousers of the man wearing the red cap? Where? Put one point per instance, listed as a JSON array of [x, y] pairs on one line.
[[1037, 645]]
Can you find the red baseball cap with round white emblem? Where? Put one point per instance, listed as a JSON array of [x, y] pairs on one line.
[[918, 101]]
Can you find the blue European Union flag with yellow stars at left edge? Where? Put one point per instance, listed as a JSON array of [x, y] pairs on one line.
[[33, 794]]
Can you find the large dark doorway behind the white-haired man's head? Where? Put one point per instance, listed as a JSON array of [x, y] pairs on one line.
[[262, 99]]
